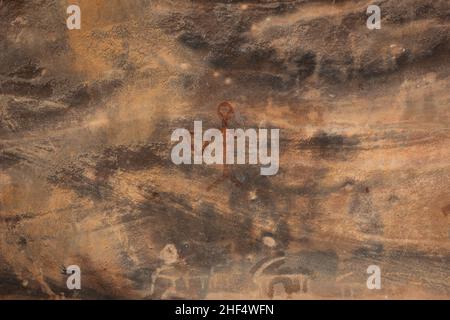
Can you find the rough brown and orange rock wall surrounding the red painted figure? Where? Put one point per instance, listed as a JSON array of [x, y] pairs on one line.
[[86, 177]]
